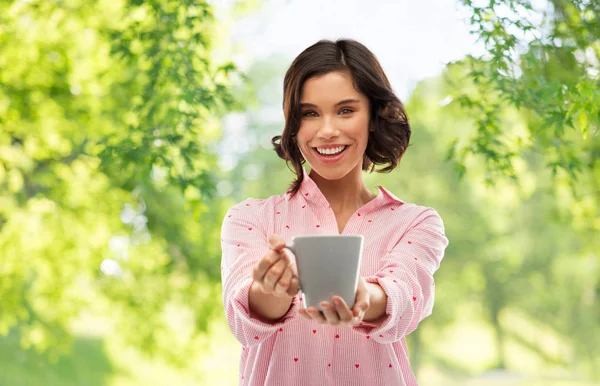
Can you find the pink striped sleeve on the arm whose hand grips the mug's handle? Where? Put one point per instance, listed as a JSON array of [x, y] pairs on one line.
[[244, 240]]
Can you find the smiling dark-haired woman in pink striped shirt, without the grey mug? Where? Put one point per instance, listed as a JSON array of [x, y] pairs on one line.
[[341, 118]]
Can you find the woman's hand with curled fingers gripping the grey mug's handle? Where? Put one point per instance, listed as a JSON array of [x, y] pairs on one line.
[[275, 273]]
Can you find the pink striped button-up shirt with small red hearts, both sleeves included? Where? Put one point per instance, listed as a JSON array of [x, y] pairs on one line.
[[403, 246]]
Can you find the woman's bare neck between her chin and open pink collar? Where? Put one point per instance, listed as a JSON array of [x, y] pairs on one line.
[[346, 194]]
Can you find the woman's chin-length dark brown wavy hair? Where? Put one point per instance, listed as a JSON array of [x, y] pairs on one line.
[[390, 132]]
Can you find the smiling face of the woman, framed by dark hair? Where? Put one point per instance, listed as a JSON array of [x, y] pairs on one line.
[[334, 125]]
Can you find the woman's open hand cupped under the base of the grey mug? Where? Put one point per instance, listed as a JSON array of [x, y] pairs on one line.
[[337, 313]]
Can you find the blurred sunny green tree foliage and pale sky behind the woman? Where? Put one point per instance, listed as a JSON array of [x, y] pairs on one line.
[[129, 127]]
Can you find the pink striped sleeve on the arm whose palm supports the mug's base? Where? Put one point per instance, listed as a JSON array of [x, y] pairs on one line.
[[406, 276]]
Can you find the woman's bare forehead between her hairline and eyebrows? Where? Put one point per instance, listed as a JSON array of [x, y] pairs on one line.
[[329, 88]]
